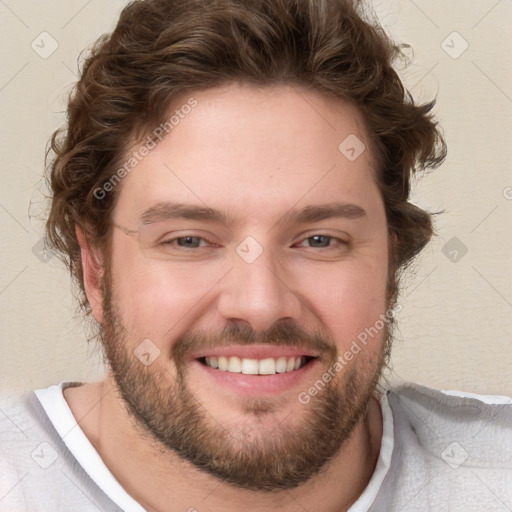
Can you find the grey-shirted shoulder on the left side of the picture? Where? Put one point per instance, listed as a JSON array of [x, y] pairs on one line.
[[38, 472]]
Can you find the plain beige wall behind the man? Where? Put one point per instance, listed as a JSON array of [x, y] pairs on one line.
[[456, 323]]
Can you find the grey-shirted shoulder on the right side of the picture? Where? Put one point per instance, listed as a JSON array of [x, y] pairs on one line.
[[451, 451]]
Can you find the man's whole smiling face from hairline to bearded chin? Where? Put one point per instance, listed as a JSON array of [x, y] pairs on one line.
[[262, 286]]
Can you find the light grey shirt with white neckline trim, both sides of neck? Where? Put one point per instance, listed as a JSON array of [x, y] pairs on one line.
[[439, 451]]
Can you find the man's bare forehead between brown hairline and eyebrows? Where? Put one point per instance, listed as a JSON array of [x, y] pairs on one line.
[[255, 151]]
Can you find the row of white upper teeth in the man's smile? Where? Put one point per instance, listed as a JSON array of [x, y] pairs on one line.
[[268, 366]]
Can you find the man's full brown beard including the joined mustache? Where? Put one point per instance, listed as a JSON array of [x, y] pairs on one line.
[[164, 408]]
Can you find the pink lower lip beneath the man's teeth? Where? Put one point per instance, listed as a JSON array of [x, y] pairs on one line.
[[255, 385]]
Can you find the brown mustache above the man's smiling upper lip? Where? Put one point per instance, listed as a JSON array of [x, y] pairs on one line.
[[285, 332]]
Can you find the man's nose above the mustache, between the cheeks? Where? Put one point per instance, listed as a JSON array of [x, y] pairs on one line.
[[259, 293]]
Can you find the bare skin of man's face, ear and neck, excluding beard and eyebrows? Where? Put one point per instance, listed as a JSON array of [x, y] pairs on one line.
[[253, 153]]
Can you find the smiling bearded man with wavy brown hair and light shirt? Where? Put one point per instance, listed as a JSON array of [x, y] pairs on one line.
[[231, 197]]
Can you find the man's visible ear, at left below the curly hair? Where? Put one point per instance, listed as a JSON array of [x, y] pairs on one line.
[[93, 270]]
